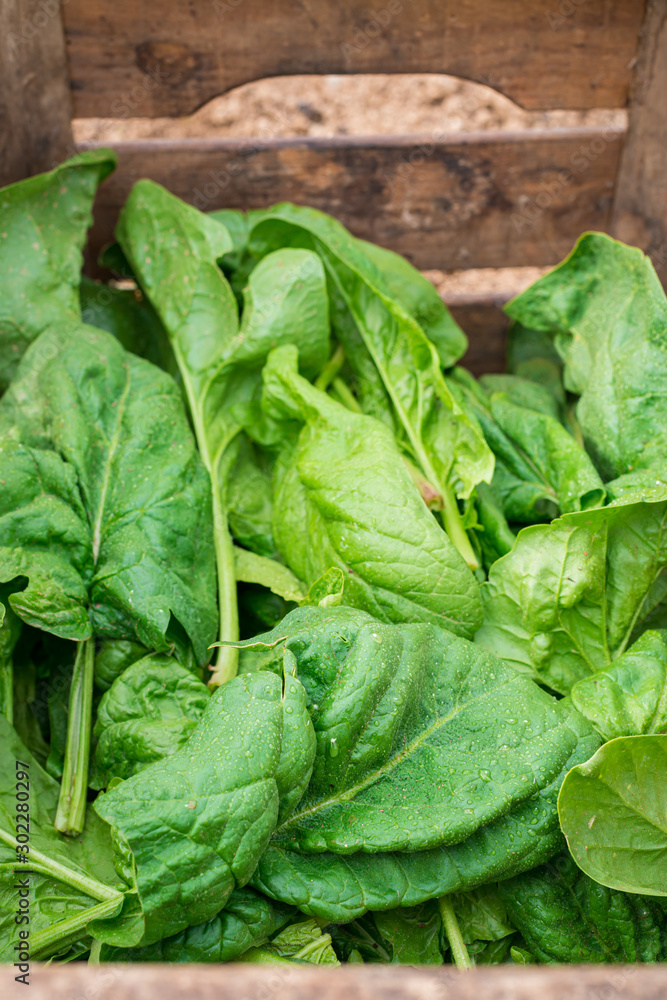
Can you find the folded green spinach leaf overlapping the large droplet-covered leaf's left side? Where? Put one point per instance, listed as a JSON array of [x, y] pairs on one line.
[[198, 820]]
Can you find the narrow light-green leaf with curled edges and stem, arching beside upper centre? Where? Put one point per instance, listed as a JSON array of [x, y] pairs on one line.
[[398, 367]]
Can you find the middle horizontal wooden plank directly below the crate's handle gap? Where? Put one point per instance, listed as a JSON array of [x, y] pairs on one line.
[[492, 199]]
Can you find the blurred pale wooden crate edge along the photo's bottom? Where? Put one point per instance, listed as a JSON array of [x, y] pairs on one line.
[[251, 982]]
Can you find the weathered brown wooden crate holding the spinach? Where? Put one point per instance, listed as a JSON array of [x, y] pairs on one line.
[[485, 199]]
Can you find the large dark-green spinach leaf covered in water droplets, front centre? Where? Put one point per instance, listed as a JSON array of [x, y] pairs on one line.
[[391, 702]]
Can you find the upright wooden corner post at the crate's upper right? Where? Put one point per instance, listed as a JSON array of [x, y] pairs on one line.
[[640, 206]]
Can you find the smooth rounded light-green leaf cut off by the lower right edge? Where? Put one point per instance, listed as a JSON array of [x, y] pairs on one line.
[[612, 810]]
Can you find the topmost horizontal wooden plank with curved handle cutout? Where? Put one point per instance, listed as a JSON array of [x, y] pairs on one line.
[[137, 58]]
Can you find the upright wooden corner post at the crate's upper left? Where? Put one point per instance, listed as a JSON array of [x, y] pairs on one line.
[[35, 109]]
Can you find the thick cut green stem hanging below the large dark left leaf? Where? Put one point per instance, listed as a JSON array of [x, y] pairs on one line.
[[71, 813]]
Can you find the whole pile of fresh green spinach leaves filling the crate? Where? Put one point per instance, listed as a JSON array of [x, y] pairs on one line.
[[313, 646]]
